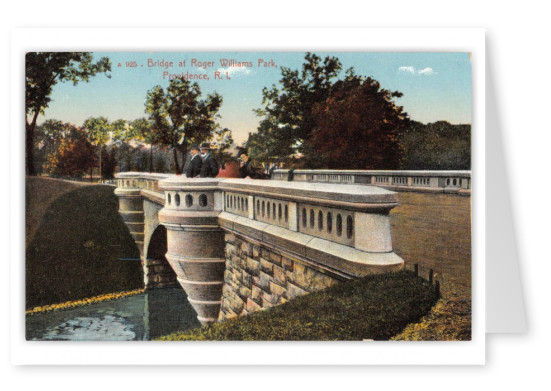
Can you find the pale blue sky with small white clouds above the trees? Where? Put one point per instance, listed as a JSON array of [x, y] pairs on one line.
[[436, 86]]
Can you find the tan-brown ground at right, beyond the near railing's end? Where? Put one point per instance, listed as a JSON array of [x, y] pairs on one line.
[[434, 230]]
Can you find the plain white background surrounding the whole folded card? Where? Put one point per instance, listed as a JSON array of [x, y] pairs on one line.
[[516, 36]]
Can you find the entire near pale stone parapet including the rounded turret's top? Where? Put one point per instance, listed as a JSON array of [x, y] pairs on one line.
[[347, 214]]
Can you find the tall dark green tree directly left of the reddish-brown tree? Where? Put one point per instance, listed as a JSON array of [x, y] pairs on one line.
[[287, 110]]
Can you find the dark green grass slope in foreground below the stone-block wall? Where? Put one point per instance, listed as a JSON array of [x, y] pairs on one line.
[[375, 307]]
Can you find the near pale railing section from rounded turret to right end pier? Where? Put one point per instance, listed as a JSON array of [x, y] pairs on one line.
[[329, 212]]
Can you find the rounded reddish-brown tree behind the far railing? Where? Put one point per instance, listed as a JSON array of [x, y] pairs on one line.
[[356, 127]]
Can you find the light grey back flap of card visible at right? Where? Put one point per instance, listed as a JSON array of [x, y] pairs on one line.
[[505, 311]]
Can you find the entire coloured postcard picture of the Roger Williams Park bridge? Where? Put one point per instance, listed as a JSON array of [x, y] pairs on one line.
[[248, 196]]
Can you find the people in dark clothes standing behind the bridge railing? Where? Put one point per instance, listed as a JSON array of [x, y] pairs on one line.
[[202, 164]]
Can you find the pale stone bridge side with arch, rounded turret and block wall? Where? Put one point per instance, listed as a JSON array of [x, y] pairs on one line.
[[240, 245]]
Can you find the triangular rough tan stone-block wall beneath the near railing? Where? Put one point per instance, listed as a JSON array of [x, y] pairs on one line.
[[258, 278]]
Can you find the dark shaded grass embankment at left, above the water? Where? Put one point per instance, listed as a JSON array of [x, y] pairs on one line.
[[75, 249]]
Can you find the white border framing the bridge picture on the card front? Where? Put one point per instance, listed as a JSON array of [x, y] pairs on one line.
[[246, 353]]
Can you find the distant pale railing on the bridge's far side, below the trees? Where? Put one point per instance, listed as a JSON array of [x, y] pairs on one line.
[[400, 180]]
